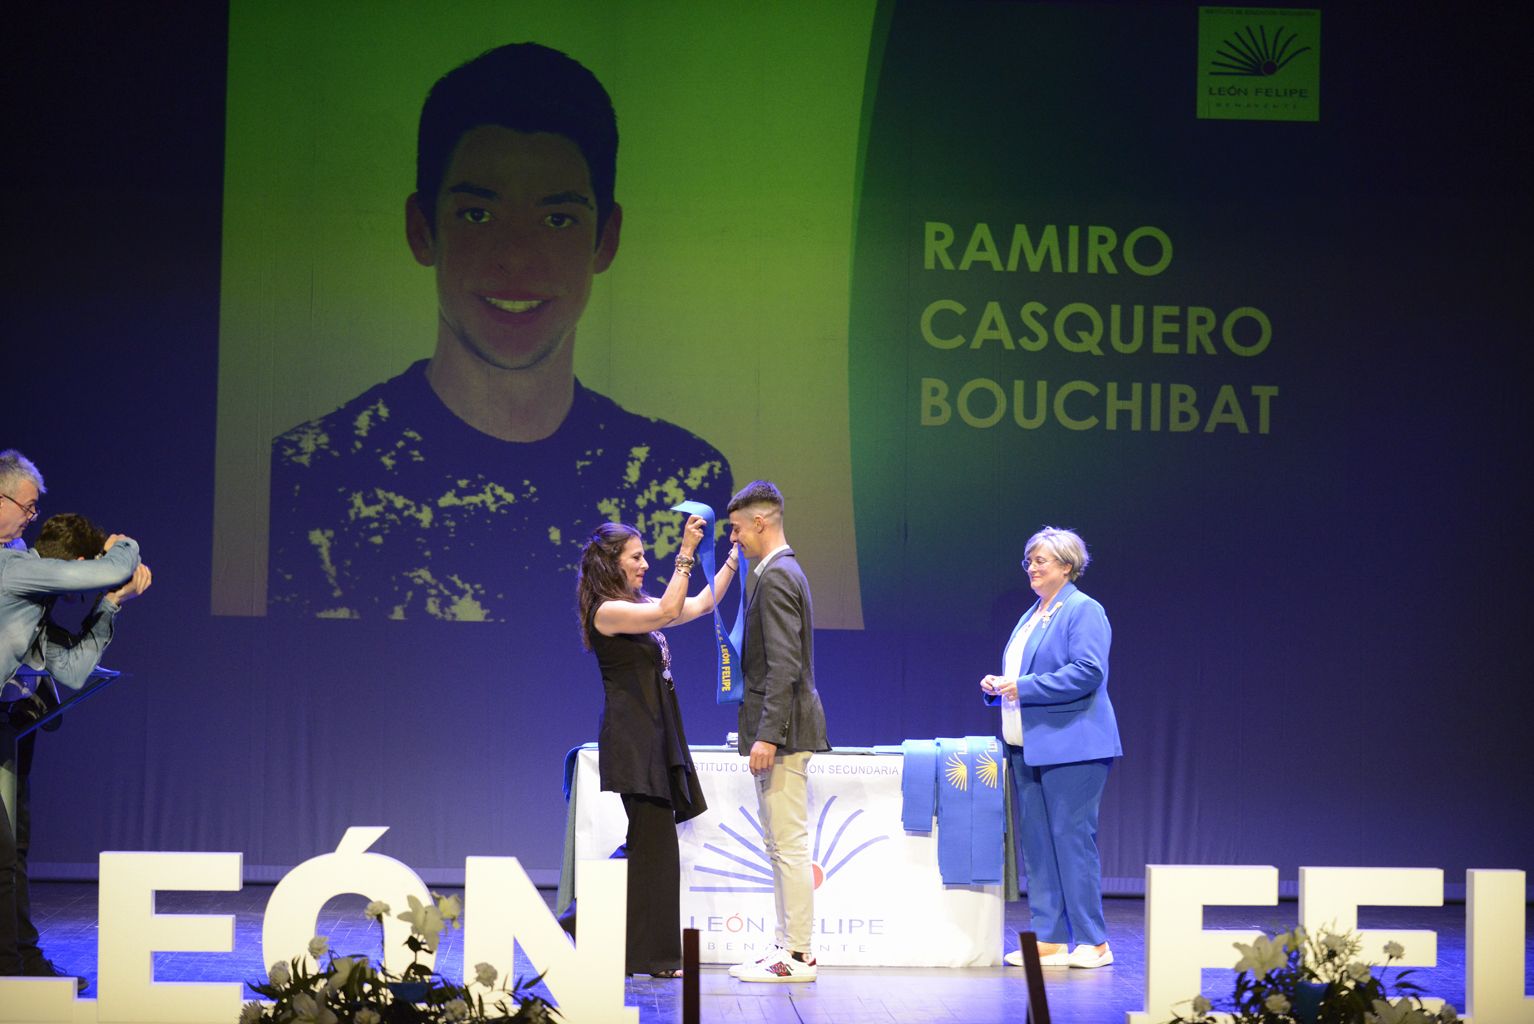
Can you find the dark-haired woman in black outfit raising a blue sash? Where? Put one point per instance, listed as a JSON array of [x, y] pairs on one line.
[[642, 750]]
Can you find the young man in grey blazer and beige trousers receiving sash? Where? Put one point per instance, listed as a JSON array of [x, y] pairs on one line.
[[782, 723]]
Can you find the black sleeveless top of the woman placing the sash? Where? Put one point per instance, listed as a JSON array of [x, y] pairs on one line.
[[640, 743]]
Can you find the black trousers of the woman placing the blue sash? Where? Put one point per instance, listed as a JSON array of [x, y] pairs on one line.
[[654, 934]]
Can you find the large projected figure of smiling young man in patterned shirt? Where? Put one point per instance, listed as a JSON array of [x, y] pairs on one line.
[[466, 487]]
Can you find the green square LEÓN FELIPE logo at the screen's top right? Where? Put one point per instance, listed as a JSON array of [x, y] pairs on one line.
[[1259, 65]]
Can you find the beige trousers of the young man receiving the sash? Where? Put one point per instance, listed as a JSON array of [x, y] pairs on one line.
[[783, 798]]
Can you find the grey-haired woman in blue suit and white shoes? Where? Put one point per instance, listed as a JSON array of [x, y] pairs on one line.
[[1061, 740]]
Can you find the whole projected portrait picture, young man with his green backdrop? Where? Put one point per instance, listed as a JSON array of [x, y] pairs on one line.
[[459, 333]]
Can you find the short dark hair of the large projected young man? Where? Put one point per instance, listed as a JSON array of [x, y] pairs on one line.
[[527, 88]]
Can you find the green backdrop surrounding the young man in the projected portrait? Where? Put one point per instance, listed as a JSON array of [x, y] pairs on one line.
[[737, 172]]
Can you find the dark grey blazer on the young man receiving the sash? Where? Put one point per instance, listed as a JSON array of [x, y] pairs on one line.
[[782, 704]]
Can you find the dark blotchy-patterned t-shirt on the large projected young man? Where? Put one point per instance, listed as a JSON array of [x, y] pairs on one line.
[[393, 508]]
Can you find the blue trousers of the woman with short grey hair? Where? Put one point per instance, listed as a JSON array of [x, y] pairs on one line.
[[1058, 836]]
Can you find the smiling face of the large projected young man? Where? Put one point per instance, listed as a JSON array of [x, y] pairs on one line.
[[516, 246]]
